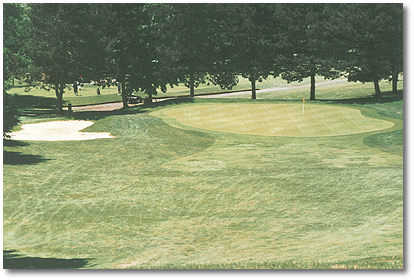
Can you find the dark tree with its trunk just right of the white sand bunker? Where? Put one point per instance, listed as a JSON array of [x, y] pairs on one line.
[[137, 50]]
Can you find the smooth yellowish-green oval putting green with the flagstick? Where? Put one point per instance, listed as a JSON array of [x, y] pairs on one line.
[[275, 119]]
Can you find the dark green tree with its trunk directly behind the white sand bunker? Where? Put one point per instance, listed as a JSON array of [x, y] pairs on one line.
[[63, 41]]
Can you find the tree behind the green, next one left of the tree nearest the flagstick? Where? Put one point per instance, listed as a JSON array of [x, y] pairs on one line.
[[253, 41]]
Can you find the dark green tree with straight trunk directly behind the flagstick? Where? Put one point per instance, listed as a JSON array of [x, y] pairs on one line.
[[312, 50]]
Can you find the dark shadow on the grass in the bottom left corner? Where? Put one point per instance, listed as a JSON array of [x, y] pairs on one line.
[[12, 260]]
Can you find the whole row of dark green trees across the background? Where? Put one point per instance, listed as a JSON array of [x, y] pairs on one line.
[[147, 47]]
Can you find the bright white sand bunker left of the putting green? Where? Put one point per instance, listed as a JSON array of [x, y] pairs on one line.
[[57, 131]]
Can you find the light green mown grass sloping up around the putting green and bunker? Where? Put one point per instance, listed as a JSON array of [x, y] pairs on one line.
[[163, 197]]
